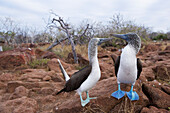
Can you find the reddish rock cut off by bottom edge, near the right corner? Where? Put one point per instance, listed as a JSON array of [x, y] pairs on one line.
[[153, 109]]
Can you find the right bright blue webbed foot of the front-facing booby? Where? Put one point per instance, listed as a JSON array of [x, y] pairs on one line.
[[132, 95]]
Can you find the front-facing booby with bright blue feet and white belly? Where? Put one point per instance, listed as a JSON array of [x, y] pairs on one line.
[[127, 67]]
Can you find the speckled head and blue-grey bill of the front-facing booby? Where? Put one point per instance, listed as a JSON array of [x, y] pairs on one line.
[[132, 38]]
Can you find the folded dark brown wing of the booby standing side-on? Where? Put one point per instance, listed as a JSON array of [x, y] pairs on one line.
[[78, 78]]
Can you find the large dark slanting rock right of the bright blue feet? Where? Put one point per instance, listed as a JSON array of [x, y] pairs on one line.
[[156, 96]]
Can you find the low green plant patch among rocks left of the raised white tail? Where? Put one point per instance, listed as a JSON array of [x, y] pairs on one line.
[[38, 63]]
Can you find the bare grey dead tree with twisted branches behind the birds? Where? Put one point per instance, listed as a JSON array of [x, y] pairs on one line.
[[63, 26]]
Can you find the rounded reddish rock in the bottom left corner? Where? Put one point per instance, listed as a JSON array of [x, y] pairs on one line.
[[19, 105]]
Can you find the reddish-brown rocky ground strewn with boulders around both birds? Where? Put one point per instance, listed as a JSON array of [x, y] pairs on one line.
[[26, 90]]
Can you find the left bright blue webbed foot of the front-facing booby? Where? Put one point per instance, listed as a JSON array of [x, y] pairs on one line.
[[119, 93]]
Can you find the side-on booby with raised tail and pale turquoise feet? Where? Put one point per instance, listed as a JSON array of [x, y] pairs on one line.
[[86, 78]]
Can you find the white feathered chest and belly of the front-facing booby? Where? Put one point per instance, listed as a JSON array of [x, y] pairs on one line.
[[127, 72]]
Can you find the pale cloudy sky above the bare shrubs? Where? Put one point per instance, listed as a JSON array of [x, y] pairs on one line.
[[151, 13]]
